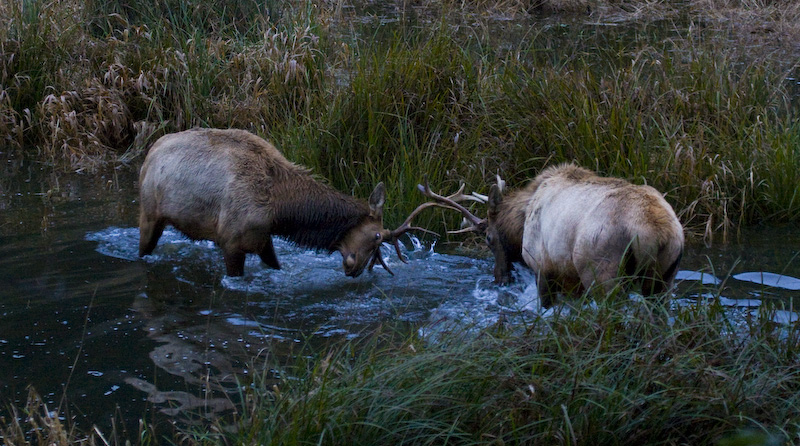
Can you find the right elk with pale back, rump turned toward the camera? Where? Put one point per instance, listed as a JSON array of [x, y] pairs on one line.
[[574, 229]]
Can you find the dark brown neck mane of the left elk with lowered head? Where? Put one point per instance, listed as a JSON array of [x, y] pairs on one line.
[[314, 215]]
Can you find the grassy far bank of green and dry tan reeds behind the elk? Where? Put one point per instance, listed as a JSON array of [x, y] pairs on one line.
[[86, 85]]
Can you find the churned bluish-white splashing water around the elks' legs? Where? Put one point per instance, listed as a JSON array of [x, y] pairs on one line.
[[310, 290]]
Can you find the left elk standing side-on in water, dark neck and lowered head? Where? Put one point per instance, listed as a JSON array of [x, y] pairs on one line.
[[236, 189]]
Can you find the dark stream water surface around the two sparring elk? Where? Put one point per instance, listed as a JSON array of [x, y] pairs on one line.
[[82, 317]]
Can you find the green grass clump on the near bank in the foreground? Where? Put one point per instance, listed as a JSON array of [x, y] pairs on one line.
[[619, 373]]
